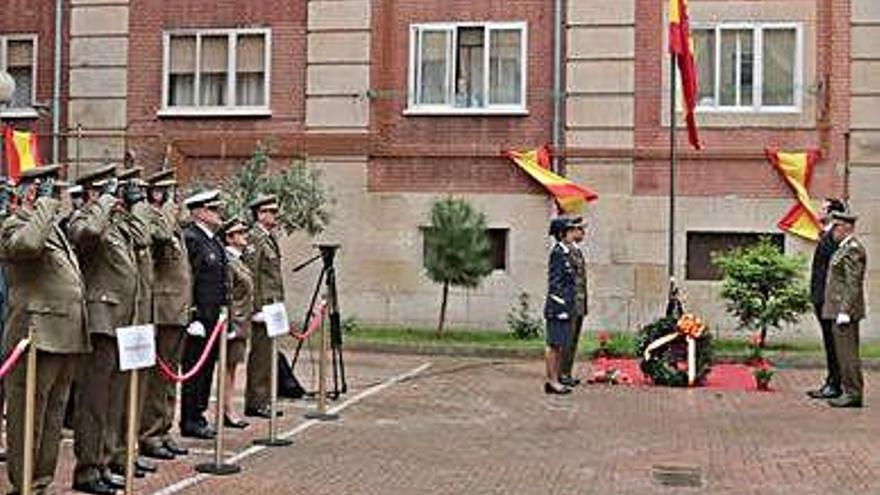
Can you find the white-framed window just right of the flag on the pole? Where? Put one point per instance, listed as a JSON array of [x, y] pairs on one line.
[[751, 67]]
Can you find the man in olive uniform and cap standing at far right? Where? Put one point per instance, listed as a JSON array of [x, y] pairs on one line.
[[845, 304]]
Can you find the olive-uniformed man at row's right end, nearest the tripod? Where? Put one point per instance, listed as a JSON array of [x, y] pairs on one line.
[[263, 257]]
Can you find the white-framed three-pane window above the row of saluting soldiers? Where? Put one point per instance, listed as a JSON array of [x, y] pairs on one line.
[[216, 72]]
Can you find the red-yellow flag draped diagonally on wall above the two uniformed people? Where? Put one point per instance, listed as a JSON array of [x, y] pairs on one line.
[[570, 197]]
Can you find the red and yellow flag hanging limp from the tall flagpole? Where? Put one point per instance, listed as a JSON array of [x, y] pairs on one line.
[[682, 49]]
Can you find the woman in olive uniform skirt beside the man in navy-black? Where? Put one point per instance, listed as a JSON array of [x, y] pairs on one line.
[[241, 289]]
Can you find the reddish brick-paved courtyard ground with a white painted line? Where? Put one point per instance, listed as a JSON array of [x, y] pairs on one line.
[[472, 426]]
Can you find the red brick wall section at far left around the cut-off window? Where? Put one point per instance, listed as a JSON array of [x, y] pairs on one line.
[[39, 17]]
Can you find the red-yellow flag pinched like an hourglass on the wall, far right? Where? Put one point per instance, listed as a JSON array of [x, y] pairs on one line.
[[796, 169]]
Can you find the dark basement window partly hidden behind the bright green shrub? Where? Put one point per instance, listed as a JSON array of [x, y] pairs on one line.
[[701, 245]]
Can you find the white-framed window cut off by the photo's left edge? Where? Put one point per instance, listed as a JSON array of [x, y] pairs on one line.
[[18, 57]]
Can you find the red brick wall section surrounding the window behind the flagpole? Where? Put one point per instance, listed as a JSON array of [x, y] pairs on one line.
[[741, 172]]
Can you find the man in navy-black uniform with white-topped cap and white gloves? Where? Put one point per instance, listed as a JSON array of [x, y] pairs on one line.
[[207, 259]]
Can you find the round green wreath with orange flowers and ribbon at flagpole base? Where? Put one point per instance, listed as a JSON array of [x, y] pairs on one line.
[[663, 348]]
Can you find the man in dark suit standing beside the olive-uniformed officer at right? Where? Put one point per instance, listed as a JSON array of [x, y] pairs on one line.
[[821, 256]]
